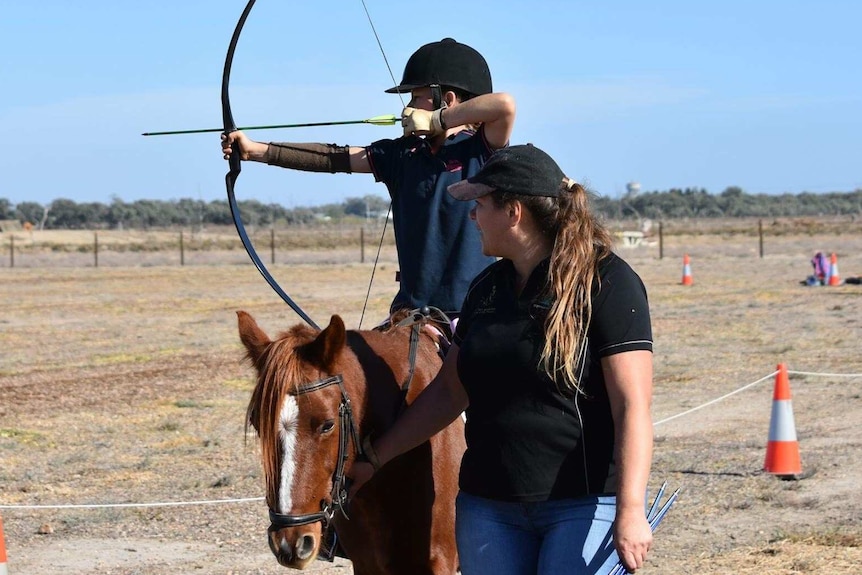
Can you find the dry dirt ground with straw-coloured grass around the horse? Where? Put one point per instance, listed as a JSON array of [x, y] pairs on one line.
[[123, 391]]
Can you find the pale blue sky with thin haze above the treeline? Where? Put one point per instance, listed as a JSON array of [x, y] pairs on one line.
[[765, 95]]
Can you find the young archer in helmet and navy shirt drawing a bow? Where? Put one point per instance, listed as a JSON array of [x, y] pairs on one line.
[[452, 124]]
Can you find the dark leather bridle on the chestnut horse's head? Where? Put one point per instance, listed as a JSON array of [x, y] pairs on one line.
[[338, 496]]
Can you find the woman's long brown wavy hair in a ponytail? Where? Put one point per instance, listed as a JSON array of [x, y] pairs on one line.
[[580, 242]]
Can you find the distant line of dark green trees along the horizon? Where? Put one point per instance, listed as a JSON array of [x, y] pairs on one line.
[[675, 203]]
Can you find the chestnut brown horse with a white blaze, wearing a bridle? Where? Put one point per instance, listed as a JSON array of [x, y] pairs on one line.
[[317, 394]]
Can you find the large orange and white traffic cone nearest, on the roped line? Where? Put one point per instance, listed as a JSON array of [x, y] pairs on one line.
[[782, 451]]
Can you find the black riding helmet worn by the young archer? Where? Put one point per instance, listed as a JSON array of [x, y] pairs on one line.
[[446, 63]]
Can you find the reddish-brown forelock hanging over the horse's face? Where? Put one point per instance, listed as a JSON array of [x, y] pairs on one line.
[[280, 370]]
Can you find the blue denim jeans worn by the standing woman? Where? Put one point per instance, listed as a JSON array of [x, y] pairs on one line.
[[566, 537]]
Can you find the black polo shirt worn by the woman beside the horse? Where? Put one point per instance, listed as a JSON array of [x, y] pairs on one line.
[[528, 438]]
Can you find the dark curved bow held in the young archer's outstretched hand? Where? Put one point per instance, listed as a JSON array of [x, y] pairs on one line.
[[235, 168]]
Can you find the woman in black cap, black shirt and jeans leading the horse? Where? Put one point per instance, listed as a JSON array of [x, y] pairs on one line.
[[552, 361]]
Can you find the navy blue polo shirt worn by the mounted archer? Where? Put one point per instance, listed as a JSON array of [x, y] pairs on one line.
[[439, 247]]
